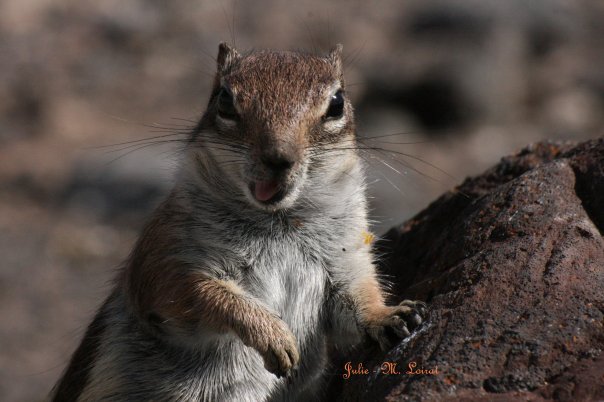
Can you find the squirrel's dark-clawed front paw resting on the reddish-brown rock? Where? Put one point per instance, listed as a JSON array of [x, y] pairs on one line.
[[392, 323]]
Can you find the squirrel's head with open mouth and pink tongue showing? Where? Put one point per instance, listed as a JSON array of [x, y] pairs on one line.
[[275, 121]]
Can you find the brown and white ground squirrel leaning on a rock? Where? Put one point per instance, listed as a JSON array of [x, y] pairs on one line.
[[259, 258]]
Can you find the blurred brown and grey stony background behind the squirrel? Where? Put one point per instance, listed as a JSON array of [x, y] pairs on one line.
[[442, 90]]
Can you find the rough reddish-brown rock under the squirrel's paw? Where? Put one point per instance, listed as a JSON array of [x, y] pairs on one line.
[[512, 265]]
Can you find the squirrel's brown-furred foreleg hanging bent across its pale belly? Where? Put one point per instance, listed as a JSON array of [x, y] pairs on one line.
[[163, 291]]
